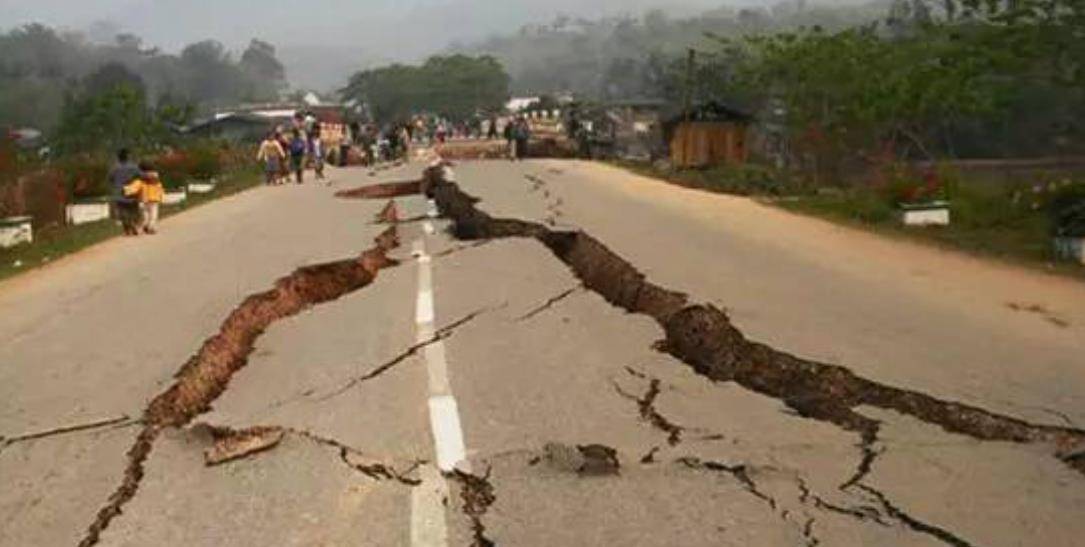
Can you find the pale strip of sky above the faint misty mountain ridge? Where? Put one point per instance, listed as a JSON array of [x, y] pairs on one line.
[[172, 23]]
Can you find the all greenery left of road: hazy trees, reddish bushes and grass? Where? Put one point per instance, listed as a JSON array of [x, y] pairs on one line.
[[92, 99]]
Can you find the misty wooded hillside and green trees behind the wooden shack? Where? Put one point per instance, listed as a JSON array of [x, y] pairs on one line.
[[896, 79]]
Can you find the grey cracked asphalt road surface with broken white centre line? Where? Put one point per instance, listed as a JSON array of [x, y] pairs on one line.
[[577, 430]]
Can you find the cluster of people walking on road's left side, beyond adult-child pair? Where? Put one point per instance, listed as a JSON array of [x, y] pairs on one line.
[[290, 154]]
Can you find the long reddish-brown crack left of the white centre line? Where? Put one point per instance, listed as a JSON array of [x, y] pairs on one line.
[[207, 375]]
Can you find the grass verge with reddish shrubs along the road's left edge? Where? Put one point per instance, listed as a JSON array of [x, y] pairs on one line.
[[56, 243]]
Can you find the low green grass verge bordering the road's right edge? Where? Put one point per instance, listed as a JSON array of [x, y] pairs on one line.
[[986, 222]]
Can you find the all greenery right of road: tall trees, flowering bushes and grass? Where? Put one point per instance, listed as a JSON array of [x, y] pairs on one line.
[[858, 124]]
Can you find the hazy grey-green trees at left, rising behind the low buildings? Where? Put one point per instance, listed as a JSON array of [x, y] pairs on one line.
[[52, 80]]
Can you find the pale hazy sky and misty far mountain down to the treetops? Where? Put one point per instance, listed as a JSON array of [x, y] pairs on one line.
[[322, 41]]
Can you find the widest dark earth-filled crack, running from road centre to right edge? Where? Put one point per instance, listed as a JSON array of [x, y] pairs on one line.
[[705, 338]]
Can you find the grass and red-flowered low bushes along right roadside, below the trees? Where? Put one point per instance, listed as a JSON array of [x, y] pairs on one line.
[[1012, 221]]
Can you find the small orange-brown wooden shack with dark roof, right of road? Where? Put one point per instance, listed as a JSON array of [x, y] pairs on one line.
[[711, 134]]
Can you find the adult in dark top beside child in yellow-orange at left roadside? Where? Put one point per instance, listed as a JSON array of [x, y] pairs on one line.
[[138, 195]]
